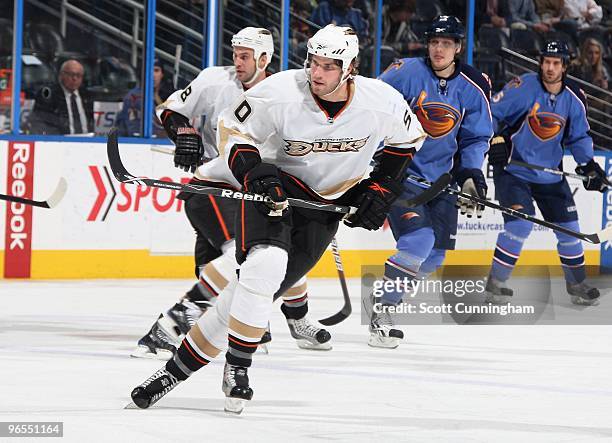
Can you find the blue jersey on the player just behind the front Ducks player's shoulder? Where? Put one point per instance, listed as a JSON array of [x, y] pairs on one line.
[[454, 112]]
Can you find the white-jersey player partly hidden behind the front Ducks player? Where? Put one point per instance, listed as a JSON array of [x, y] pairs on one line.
[[213, 90]]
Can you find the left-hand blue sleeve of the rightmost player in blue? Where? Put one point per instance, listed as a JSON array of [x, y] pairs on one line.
[[509, 105]]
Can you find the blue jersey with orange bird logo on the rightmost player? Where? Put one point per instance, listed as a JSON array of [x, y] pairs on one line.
[[541, 125]]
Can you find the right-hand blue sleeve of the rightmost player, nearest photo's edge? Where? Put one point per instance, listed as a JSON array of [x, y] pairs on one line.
[[576, 138]]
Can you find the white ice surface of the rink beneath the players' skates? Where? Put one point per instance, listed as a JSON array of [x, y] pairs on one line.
[[64, 356]]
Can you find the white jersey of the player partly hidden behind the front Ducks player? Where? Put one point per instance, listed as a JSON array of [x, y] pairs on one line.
[[213, 90]]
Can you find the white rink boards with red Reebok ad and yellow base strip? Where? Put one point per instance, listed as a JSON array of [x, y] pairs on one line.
[[106, 229]]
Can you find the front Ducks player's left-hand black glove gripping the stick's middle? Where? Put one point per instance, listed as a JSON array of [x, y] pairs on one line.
[[264, 179]]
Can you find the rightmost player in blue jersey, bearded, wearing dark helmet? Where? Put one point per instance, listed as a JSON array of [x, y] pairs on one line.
[[536, 116]]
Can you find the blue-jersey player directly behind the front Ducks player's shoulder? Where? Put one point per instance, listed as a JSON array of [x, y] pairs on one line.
[[451, 101]]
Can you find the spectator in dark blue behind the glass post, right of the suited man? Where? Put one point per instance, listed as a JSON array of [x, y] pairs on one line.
[[129, 120]]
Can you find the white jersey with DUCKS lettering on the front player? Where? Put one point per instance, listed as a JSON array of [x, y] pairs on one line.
[[283, 120]]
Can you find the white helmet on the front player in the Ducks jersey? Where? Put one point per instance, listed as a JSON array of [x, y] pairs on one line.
[[336, 42]]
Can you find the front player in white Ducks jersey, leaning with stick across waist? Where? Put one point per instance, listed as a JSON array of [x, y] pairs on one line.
[[307, 134]]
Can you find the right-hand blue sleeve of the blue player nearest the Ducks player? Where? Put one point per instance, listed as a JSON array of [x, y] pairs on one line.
[[476, 127]]
